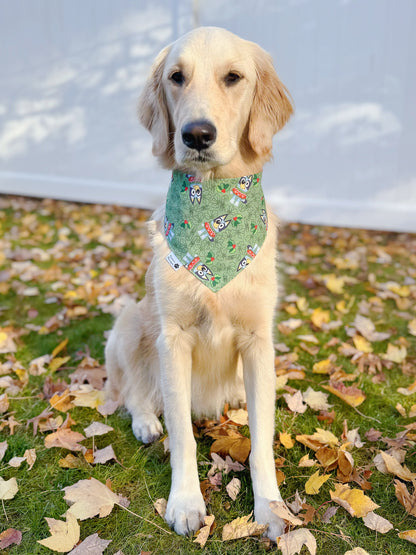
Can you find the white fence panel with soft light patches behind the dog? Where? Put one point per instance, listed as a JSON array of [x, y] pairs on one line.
[[71, 72]]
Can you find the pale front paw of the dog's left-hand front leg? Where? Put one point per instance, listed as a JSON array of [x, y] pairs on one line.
[[185, 512]]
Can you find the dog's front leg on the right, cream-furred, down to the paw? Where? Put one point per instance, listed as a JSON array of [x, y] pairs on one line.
[[260, 385]]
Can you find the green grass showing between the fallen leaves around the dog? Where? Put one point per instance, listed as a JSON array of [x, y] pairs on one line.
[[92, 252]]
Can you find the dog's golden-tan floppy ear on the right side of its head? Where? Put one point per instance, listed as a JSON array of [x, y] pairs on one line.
[[272, 106]]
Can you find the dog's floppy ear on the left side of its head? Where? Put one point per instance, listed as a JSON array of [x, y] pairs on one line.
[[152, 108]]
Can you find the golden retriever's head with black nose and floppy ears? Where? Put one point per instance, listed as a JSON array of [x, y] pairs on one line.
[[213, 97]]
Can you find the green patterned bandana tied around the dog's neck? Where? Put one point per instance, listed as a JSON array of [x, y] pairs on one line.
[[214, 228]]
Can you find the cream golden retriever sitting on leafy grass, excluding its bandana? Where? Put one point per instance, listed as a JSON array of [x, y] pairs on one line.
[[212, 104]]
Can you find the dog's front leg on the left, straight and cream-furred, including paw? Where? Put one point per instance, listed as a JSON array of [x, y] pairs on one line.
[[186, 508]]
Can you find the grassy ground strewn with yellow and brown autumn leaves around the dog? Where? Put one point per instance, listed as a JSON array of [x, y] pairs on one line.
[[345, 367]]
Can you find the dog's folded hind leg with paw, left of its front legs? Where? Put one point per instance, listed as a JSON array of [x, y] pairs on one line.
[[133, 370]]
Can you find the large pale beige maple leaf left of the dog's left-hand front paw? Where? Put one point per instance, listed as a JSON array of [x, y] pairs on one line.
[[88, 498]]
